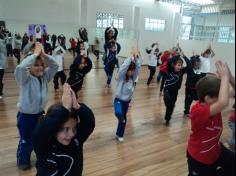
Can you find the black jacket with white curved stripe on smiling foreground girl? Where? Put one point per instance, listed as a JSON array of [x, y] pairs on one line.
[[54, 158]]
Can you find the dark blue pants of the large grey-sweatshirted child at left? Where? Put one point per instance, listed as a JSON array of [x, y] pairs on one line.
[[26, 124]]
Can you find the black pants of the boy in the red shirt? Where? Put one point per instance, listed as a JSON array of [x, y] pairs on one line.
[[224, 166]]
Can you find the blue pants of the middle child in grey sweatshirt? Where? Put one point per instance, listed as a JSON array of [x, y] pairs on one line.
[[121, 109]]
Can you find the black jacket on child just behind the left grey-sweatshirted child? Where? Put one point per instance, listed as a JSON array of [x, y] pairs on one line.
[[77, 75]]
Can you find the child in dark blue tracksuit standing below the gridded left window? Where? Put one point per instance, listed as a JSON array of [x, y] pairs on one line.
[[111, 59]]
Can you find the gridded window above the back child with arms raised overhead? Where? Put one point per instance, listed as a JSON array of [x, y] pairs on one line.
[[105, 20]]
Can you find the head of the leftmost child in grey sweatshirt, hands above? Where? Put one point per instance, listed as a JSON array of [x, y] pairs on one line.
[[37, 69]]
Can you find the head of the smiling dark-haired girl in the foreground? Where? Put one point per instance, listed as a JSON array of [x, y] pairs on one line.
[[65, 124]]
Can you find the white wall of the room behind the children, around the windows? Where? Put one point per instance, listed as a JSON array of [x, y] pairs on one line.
[[66, 18]]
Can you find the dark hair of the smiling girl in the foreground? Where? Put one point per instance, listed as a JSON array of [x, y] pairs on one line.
[[61, 119]]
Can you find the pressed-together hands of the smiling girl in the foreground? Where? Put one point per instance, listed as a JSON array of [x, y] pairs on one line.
[[67, 97]]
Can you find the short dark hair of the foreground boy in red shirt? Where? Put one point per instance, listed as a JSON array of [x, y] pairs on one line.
[[208, 86]]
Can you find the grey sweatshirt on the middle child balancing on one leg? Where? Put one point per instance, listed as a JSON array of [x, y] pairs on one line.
[[125, 89]]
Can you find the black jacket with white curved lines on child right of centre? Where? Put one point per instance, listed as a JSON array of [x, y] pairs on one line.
[[174, 79]]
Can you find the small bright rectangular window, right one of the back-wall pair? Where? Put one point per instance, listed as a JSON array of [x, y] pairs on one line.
[[155, 24]]
